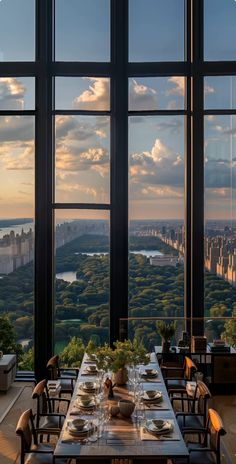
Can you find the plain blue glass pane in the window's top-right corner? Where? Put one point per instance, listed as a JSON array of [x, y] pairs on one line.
[[219, 30]]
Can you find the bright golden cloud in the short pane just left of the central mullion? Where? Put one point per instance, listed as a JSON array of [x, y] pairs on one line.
[[97, 97]]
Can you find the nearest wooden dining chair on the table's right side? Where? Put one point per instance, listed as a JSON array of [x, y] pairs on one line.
[[207, 449]]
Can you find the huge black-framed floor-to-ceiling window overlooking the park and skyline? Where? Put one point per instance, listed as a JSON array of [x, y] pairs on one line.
[[114, 118]]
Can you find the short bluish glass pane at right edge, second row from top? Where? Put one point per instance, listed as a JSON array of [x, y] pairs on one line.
[[220, 92]]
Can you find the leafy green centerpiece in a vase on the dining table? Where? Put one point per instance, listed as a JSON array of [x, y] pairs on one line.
[[116, 360]]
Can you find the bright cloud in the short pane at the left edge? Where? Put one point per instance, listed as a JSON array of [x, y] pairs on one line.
[[12, 93]]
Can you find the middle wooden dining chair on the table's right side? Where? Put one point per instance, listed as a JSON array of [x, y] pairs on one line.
[[197, 417]]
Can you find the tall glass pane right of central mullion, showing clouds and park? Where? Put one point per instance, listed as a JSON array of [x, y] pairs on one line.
[[156, 212]]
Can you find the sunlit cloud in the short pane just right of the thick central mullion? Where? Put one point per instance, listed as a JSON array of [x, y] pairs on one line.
[[142, 97]]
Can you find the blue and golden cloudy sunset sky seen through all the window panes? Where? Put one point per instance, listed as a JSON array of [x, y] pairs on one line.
[[156, 143]]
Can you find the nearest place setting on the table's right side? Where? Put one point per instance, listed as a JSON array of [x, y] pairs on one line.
[[159, 429]]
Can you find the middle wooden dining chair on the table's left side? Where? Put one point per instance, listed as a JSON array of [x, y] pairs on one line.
[[46, 417]]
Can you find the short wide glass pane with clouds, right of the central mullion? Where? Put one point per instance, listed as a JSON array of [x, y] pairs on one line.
[[157, 93]]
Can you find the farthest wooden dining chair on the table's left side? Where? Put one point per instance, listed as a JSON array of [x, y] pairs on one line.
[[66, 376]]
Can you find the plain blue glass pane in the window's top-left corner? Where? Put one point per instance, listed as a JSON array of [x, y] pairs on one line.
[[17, 30]]
